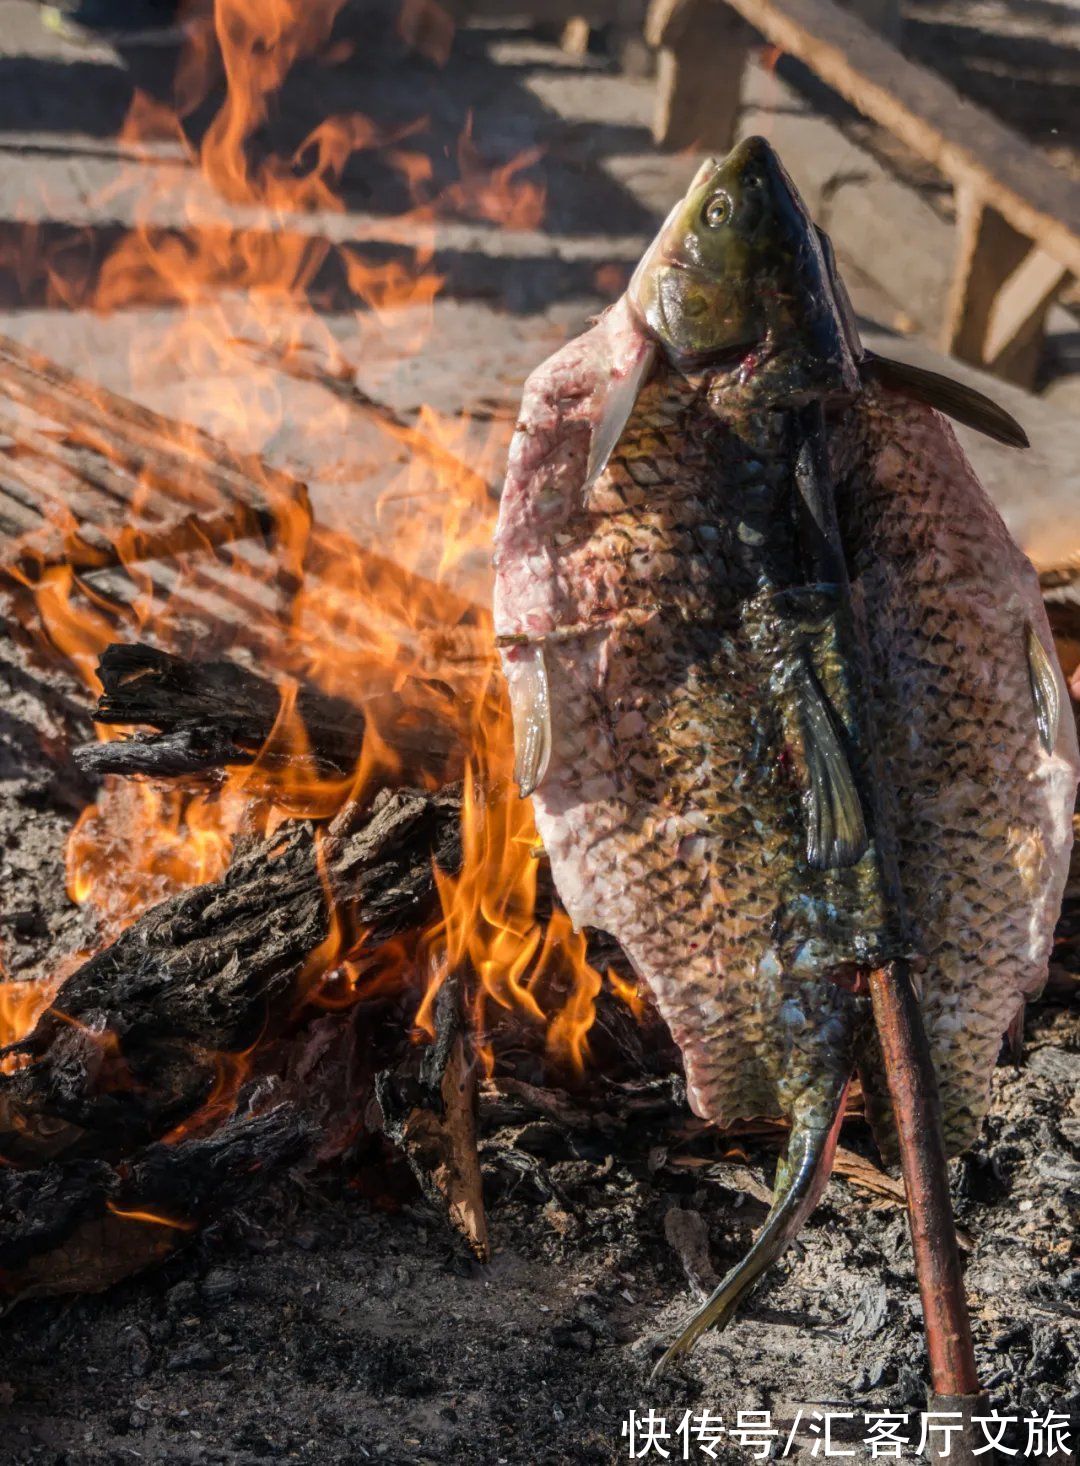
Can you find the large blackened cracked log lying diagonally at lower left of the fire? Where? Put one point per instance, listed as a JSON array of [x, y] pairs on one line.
[[128, 1047]]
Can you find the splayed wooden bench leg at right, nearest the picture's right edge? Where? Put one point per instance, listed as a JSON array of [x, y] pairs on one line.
[[1002, 291]]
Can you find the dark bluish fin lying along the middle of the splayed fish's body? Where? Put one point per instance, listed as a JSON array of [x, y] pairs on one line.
[[836, 826]]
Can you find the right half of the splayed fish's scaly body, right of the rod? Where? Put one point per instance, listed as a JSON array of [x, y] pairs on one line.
[[981, 808]]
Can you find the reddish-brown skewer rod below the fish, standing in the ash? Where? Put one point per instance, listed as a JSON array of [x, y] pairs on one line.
[[917, 1109]]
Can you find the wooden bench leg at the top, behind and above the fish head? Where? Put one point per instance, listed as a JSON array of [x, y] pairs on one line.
[[700, 73]]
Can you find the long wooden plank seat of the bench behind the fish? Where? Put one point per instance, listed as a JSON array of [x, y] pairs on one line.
[[922, 111]]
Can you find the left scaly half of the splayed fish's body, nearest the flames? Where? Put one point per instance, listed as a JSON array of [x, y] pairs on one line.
[[670, 811]]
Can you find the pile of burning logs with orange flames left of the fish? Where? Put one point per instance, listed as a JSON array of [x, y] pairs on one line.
[[262, 971]]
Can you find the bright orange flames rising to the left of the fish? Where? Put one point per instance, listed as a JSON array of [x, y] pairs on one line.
[[223, 237]]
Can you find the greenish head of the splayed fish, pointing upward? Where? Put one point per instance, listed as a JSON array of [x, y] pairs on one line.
[[739, 270]]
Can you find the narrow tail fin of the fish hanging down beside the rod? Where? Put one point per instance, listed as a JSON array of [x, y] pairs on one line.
[[802, 1175]]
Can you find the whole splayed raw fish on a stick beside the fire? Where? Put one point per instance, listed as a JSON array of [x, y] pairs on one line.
[[770, 751]]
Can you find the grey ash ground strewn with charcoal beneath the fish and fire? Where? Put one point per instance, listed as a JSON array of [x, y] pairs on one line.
[[338, 1320]]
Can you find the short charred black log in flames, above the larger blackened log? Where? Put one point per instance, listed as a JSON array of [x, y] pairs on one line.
[[218, 713]]
